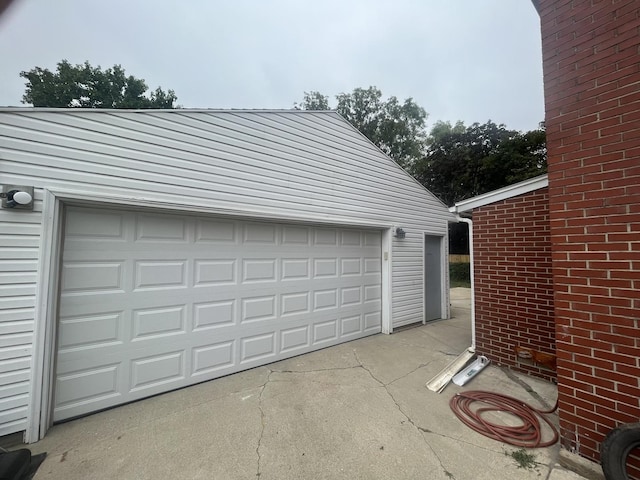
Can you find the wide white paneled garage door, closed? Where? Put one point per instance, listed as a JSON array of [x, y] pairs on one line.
[[151, 303]]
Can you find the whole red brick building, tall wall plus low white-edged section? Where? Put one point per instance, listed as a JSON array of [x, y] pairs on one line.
[[591, 64]]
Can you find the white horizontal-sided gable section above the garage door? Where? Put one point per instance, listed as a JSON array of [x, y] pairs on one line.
[[159, 155]]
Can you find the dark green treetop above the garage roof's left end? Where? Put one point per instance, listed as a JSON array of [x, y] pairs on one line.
[[91, 87]]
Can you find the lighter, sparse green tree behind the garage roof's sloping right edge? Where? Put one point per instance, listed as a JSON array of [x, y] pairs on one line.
[[397, 128]]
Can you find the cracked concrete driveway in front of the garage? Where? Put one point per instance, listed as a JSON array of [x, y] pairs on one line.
[[358, 411]]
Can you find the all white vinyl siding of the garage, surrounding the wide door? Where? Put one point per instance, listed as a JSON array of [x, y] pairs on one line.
[[311, 166]]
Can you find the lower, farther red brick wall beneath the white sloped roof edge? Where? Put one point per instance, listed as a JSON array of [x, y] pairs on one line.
[[514, 294]]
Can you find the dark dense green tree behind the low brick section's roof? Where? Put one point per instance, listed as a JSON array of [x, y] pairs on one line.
[[463, 162]]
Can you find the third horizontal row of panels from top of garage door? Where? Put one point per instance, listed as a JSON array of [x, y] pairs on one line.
[[147, 319]]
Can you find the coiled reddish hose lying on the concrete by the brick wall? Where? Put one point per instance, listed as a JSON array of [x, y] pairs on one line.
[[471, 408]]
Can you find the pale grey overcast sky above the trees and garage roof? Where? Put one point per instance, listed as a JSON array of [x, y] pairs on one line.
[[470, 60]]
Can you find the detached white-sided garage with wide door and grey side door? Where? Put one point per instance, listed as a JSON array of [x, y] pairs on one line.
[[153, 250]]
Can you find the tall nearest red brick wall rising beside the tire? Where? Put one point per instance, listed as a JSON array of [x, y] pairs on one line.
[[591, 60]]
